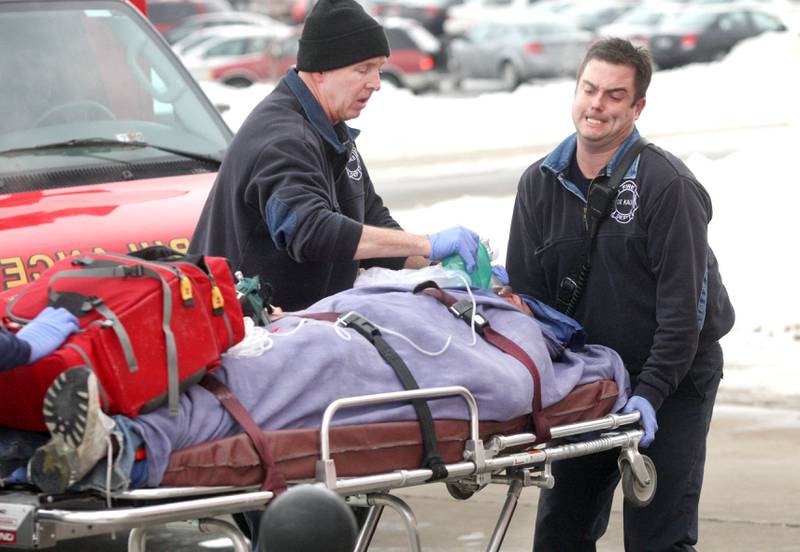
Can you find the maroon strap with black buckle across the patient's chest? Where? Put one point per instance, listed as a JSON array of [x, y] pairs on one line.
[[463, 309]]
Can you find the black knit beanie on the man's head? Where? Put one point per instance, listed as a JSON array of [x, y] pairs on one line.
[[338, 33]]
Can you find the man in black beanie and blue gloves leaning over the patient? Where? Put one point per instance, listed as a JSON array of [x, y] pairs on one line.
[[293, 201]]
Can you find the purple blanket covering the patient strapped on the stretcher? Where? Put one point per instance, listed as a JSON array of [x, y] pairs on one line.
[[310, 364]]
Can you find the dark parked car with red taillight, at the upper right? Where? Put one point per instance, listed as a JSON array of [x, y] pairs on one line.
[[707, 33]]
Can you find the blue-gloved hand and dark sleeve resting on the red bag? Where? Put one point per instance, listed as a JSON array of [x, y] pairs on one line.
[[40, 337]]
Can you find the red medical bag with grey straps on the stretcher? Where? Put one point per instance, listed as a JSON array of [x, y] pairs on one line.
[[148, 329]]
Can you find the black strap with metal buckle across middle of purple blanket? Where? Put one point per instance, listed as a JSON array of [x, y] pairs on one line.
[[371, 333]]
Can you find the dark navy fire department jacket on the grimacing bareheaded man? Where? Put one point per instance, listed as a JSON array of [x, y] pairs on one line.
[[654, 293]]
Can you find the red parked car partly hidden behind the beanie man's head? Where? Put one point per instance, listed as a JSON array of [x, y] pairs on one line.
[[413, 62]]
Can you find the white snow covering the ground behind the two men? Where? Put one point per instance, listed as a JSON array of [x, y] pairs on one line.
[[751, 97]]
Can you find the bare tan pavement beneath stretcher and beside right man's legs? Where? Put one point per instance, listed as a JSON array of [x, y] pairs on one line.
[[750, 500]]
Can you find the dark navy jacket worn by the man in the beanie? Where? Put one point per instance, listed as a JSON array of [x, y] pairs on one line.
[[290, 200]]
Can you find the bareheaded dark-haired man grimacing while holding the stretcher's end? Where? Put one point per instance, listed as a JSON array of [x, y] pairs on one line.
[[654, 294]]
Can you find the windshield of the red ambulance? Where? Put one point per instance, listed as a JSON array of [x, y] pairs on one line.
[[71, 73]]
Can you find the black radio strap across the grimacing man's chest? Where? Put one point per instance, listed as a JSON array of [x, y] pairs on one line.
[[598, 206]]
